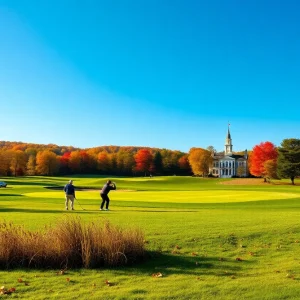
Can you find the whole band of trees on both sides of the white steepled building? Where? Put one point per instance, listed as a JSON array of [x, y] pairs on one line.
[[18, 159]]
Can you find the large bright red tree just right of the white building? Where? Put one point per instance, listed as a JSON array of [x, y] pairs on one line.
[[261, 153]]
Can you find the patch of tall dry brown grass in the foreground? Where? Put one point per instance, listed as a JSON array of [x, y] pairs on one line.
[[71, 243]]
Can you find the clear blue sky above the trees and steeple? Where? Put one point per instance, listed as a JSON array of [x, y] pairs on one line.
[[158, 73]]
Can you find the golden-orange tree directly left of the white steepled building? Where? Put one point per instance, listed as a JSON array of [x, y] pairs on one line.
[[200, 161]]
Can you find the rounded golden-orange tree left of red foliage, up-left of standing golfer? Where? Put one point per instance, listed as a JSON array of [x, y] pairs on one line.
[[46, 163]]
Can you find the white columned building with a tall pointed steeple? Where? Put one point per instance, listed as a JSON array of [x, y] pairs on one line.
[[226, 164]]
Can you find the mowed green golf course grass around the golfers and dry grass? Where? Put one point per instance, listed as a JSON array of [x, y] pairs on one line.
[[209, 240]]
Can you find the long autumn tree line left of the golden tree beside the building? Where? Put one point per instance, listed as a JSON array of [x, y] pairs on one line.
[[18, 159]]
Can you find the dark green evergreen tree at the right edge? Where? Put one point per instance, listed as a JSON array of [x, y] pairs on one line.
[[289, 159]]
